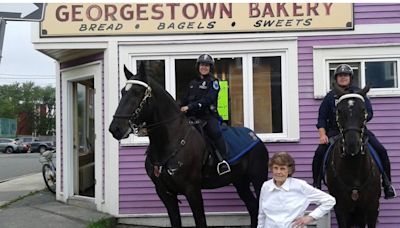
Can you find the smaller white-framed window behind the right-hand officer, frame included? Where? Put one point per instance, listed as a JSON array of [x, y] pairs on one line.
[[376, 66]]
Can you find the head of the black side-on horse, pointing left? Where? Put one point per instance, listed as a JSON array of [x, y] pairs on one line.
[[133, 106]]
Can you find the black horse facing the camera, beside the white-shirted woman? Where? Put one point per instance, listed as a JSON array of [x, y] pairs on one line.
[[352, 175]]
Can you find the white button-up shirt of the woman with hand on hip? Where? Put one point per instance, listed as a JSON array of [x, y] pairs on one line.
[[280, 206]]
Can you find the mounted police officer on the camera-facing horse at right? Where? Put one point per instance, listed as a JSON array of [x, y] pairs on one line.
[[327, 128]]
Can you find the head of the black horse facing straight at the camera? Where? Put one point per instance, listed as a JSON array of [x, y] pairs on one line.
[[351, 118]]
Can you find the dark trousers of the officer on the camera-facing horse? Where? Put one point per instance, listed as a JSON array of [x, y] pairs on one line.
[[380, 150]]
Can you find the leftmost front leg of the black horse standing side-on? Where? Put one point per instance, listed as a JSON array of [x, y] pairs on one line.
[[171, 203]]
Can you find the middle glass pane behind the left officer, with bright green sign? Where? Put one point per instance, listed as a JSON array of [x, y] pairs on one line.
[[229, 72]]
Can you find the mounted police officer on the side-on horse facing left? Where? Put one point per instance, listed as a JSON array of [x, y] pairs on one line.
[[201, 102]]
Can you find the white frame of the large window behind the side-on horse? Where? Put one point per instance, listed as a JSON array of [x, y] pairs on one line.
[[286, 49]]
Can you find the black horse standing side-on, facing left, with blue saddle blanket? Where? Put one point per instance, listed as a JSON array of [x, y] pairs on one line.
[[177, 151]]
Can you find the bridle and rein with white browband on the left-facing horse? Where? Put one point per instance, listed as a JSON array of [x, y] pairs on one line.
[[135, 127]]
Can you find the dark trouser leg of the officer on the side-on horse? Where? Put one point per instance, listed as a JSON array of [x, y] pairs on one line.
[[213, 130]]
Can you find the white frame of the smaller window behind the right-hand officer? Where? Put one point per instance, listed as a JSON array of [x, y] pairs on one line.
[[324, 55]]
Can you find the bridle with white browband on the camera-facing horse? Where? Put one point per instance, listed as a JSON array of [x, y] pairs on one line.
[[344, 130]]
